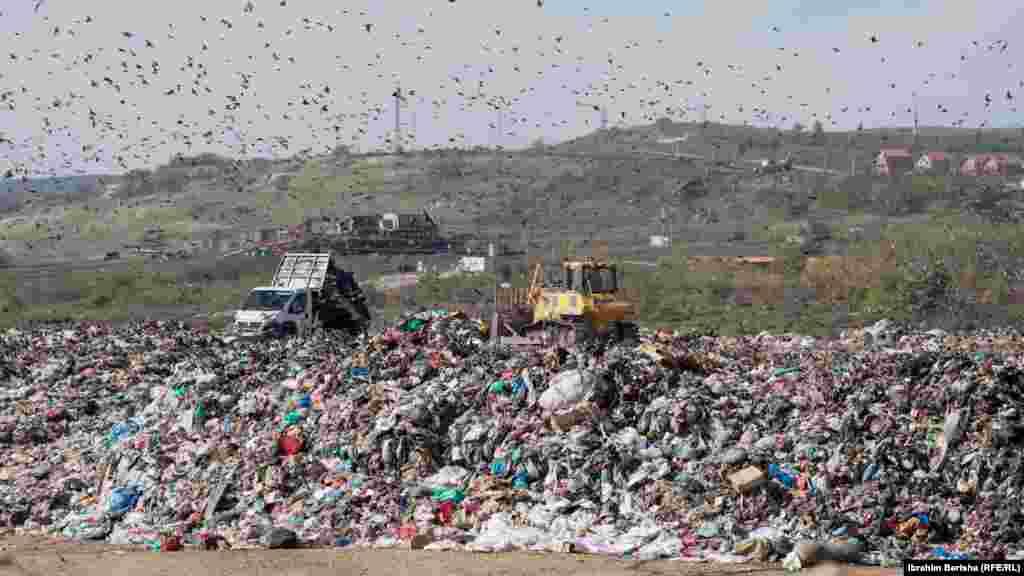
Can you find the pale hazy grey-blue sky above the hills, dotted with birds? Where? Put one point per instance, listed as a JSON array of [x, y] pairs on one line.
[[769, 63]]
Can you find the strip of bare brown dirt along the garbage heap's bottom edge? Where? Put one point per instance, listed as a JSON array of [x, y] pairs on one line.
[[25, 556]]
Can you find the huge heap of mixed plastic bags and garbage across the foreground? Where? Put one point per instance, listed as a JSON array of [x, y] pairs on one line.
[[881, 445]]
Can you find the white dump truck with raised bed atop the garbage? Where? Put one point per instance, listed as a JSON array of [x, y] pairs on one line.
[[310, 291]]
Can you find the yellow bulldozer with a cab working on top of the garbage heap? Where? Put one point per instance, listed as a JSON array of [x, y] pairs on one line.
[[583, 305]]
